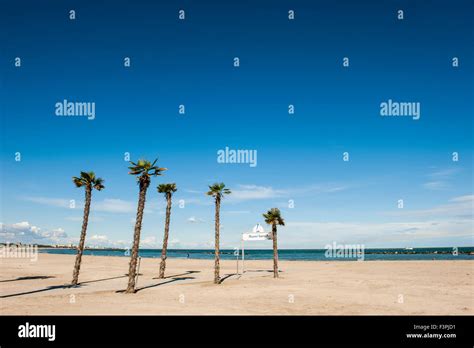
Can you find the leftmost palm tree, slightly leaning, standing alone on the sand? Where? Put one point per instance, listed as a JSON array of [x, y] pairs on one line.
[[90, 182]]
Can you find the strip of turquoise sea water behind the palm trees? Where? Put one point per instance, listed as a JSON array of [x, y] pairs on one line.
[[289, 254]]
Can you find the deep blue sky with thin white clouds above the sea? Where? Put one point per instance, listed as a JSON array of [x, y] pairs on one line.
[[300, 156]]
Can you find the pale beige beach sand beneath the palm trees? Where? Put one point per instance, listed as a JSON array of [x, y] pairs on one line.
[[304, 287]]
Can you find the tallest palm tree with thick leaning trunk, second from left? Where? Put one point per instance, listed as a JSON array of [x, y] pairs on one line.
[[145, 170]]
